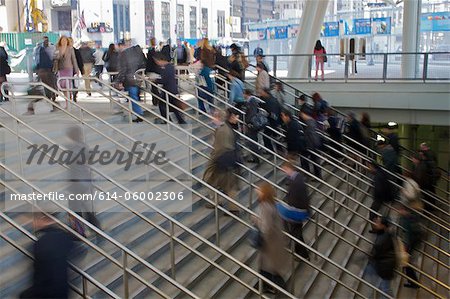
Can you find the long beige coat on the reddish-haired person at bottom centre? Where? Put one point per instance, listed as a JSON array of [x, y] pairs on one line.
[[272, 256]]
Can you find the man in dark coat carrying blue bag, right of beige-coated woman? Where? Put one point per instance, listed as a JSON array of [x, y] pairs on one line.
[[297, 197]]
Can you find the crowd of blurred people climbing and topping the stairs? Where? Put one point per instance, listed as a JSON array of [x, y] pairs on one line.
[[255, 112]]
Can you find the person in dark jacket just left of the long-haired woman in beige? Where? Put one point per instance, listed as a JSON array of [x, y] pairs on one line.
[[44, 54]]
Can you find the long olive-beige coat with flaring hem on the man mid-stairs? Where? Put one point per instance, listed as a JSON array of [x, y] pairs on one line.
[[224, 180]]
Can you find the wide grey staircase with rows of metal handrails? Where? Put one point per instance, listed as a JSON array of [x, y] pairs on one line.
[[203, 253]]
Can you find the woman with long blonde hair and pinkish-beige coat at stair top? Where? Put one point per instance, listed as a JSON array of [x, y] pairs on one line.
[[65, 63]]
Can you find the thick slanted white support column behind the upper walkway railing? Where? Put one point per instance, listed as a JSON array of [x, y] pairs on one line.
[[310, 26]]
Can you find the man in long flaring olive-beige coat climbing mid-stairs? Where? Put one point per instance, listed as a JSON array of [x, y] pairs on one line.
[[225, 157]]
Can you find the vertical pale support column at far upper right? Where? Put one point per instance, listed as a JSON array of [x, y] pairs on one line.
[[411, 38]]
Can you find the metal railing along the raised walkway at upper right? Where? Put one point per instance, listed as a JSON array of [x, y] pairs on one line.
[[365, 66]]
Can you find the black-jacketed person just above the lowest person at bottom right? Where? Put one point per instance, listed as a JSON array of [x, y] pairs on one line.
[[382, 190]]
